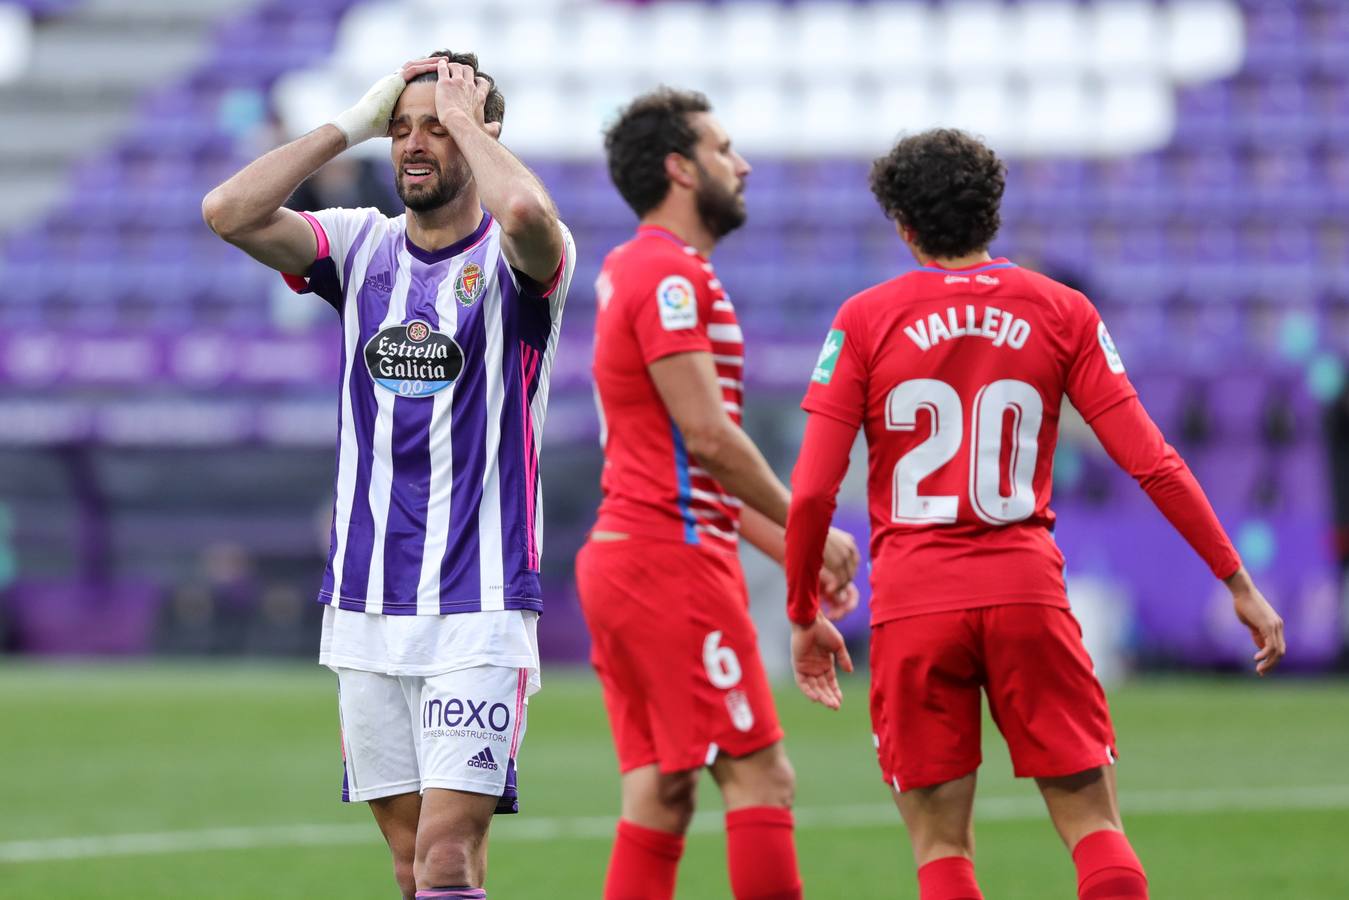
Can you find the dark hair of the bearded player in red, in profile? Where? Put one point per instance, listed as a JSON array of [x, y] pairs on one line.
[[644, 134]]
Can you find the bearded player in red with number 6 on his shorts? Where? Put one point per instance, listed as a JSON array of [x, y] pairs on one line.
[[660, 581]]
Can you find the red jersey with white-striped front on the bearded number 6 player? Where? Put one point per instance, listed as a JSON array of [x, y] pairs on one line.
[[659, 298]]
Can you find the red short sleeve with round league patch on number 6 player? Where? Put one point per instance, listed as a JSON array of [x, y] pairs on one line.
[[668, 308]]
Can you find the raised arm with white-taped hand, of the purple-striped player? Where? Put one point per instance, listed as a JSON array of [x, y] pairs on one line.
[[248, 210]]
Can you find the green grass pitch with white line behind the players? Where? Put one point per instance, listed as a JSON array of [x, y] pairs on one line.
[[1232, 790]]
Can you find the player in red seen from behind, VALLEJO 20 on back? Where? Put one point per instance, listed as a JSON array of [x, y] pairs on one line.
[[957, 373]]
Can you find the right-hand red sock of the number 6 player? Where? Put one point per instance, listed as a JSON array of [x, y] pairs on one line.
[[762, 855]]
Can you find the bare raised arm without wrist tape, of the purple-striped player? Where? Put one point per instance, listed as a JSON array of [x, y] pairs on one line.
[[532, 238]]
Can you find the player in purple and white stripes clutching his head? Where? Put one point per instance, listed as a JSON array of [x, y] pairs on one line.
[[450, 322]]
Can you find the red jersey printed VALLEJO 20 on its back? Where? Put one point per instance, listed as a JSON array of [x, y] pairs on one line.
[[957, 377]]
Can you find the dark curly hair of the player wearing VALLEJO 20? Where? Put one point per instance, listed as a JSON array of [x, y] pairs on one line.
[[946, 187]]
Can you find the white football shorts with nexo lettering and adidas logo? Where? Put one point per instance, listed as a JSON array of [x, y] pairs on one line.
[[458, 731]]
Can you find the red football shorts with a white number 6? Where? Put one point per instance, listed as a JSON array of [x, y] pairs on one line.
[[677, 654]]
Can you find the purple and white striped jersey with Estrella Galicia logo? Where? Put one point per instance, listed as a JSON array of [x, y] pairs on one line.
[[444, 388]]
